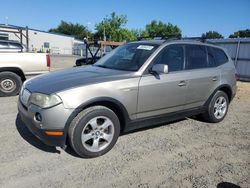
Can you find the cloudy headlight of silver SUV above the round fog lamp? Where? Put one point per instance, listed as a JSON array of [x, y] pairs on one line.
[[44, 101]]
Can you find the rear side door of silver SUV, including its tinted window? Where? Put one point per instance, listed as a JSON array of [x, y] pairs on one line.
[[204, 76]]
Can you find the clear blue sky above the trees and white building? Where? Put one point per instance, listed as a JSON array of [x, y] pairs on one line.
[[192, 16]]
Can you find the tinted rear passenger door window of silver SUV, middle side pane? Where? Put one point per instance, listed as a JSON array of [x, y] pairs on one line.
[[196, 57]]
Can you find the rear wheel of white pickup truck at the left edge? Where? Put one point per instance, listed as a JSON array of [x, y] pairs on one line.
[[10, 84]]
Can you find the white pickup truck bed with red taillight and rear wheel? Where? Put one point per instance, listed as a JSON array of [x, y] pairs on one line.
[[15, 68]]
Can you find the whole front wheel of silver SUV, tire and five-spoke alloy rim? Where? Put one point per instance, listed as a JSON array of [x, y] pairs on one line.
[[94, 131]]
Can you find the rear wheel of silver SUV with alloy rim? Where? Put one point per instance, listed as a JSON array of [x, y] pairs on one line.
[[217, 108]]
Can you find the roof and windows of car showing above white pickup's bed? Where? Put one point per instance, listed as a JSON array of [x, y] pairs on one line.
[[11, 46]]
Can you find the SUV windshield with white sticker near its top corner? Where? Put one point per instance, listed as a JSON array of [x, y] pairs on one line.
[[128, 57]]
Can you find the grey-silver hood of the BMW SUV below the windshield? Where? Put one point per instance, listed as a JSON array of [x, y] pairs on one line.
[[74, 77]]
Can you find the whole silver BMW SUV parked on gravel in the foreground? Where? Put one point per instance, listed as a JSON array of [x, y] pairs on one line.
[[138, 84]]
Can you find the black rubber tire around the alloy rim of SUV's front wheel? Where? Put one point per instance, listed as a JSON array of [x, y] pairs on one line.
[[80, 123]]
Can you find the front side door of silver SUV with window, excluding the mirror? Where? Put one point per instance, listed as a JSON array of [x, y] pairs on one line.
[[164, 93]]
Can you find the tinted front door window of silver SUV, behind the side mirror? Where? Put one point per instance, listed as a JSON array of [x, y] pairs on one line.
[[173, 56]]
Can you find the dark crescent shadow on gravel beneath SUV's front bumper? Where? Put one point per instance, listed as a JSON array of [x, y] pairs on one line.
[[31, 139]]
